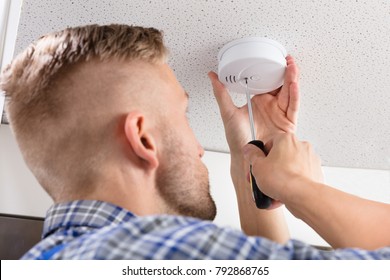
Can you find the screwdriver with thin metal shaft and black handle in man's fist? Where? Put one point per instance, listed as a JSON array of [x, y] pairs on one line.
[[261, 200]]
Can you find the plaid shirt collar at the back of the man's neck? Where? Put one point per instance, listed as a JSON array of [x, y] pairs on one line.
[[83, 213]]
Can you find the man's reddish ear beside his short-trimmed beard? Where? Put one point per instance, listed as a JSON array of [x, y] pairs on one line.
[[140, 139]]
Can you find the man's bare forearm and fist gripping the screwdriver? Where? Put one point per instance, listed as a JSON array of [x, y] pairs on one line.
[[291, 173]]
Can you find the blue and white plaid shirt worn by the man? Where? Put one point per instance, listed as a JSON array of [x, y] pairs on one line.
[[99, 230]]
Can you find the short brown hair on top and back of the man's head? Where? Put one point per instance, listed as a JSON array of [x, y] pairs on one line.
[[31, 102]]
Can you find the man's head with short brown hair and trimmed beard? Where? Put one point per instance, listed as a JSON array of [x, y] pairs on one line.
[[98, 114]]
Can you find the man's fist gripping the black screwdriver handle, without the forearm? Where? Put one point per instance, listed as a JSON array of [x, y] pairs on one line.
[[290, 159]]
